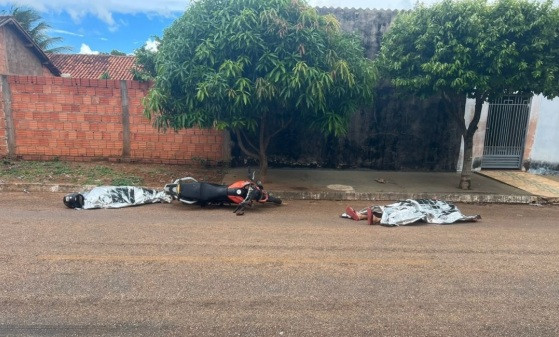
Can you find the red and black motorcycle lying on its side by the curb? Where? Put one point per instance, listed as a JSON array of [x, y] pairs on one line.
[[243, 193]]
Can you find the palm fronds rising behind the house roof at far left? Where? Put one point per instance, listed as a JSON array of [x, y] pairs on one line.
[[31, 21]]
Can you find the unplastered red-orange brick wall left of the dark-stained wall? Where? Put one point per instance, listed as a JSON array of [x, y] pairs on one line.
[[82, 120]]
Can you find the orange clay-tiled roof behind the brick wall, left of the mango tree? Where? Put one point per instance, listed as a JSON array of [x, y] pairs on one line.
[[93, 66]]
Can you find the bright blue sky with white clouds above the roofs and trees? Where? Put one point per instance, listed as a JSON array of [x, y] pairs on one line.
[[93, 26]]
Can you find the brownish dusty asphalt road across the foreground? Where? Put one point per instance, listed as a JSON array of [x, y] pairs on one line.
[[293, 270]]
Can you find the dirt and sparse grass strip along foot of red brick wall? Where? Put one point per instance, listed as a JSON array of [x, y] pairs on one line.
[[103, 173]]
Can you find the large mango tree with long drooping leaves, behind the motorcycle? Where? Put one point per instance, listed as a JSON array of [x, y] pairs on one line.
[[255, 67]]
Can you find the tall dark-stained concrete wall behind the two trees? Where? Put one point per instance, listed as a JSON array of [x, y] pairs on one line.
[[398, 132]]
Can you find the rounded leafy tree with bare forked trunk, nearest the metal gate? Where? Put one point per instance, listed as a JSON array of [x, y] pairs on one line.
[[476, 48]]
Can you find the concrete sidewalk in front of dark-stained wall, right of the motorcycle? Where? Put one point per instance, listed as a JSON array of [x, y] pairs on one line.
[[324, 184]]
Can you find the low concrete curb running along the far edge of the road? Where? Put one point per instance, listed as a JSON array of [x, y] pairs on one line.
[[324, 195]]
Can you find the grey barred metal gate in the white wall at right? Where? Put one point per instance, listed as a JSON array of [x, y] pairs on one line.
[[505, 135]]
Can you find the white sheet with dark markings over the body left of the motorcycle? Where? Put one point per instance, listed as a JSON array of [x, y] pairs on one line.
[[122, 196]]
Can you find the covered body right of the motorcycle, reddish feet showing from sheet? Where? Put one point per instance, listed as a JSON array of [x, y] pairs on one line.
[[425, 210]]
